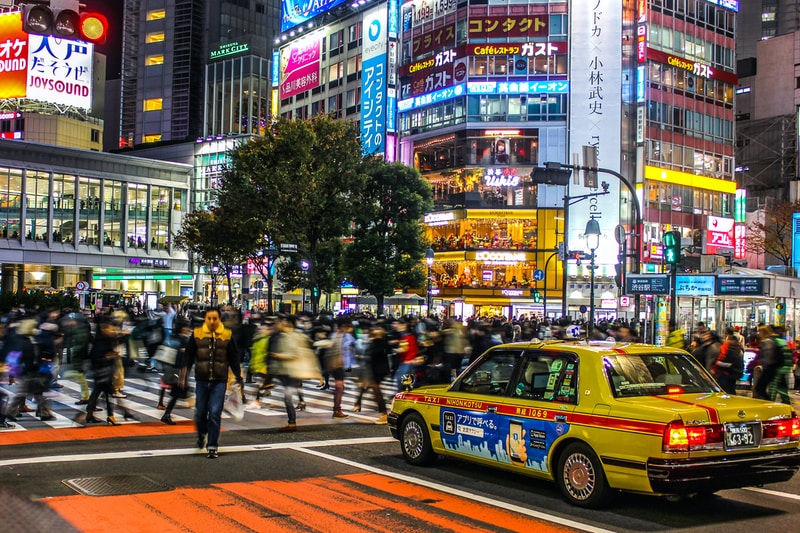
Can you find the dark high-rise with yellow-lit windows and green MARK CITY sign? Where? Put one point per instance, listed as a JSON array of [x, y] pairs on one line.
[[193, 69]]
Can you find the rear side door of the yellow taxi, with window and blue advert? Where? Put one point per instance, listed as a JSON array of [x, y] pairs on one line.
[[537, 411]]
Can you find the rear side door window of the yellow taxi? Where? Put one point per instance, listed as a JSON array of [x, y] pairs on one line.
[[547, 376]]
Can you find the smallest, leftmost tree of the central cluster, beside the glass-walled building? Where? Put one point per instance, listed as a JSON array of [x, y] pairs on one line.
[[215, 239]]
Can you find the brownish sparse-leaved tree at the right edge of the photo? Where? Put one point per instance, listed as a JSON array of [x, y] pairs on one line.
[[773, 233]]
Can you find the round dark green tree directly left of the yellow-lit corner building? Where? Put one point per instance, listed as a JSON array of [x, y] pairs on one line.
[[388, 245]]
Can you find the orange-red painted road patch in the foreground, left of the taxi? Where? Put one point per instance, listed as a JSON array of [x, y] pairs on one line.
[[348, 503]]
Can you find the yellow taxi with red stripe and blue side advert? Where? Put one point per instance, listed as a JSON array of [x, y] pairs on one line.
[[598, 418]]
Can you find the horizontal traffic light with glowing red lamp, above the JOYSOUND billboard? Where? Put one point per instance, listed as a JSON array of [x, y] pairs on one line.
[[62, 19]]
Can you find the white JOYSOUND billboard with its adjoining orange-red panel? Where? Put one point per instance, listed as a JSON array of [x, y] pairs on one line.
[[41, 67]]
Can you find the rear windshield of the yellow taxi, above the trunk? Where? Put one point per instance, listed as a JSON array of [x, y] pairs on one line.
[[655, 374]]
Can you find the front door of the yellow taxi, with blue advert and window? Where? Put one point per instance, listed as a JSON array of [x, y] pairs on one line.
[[469, 413]]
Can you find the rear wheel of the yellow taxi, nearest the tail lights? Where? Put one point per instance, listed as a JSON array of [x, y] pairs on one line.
[[581, 478]]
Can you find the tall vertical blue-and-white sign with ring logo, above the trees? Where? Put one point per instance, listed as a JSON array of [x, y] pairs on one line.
[[373, 81]]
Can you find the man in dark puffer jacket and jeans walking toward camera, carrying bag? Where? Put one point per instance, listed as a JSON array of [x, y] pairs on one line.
[[211, 350]]
